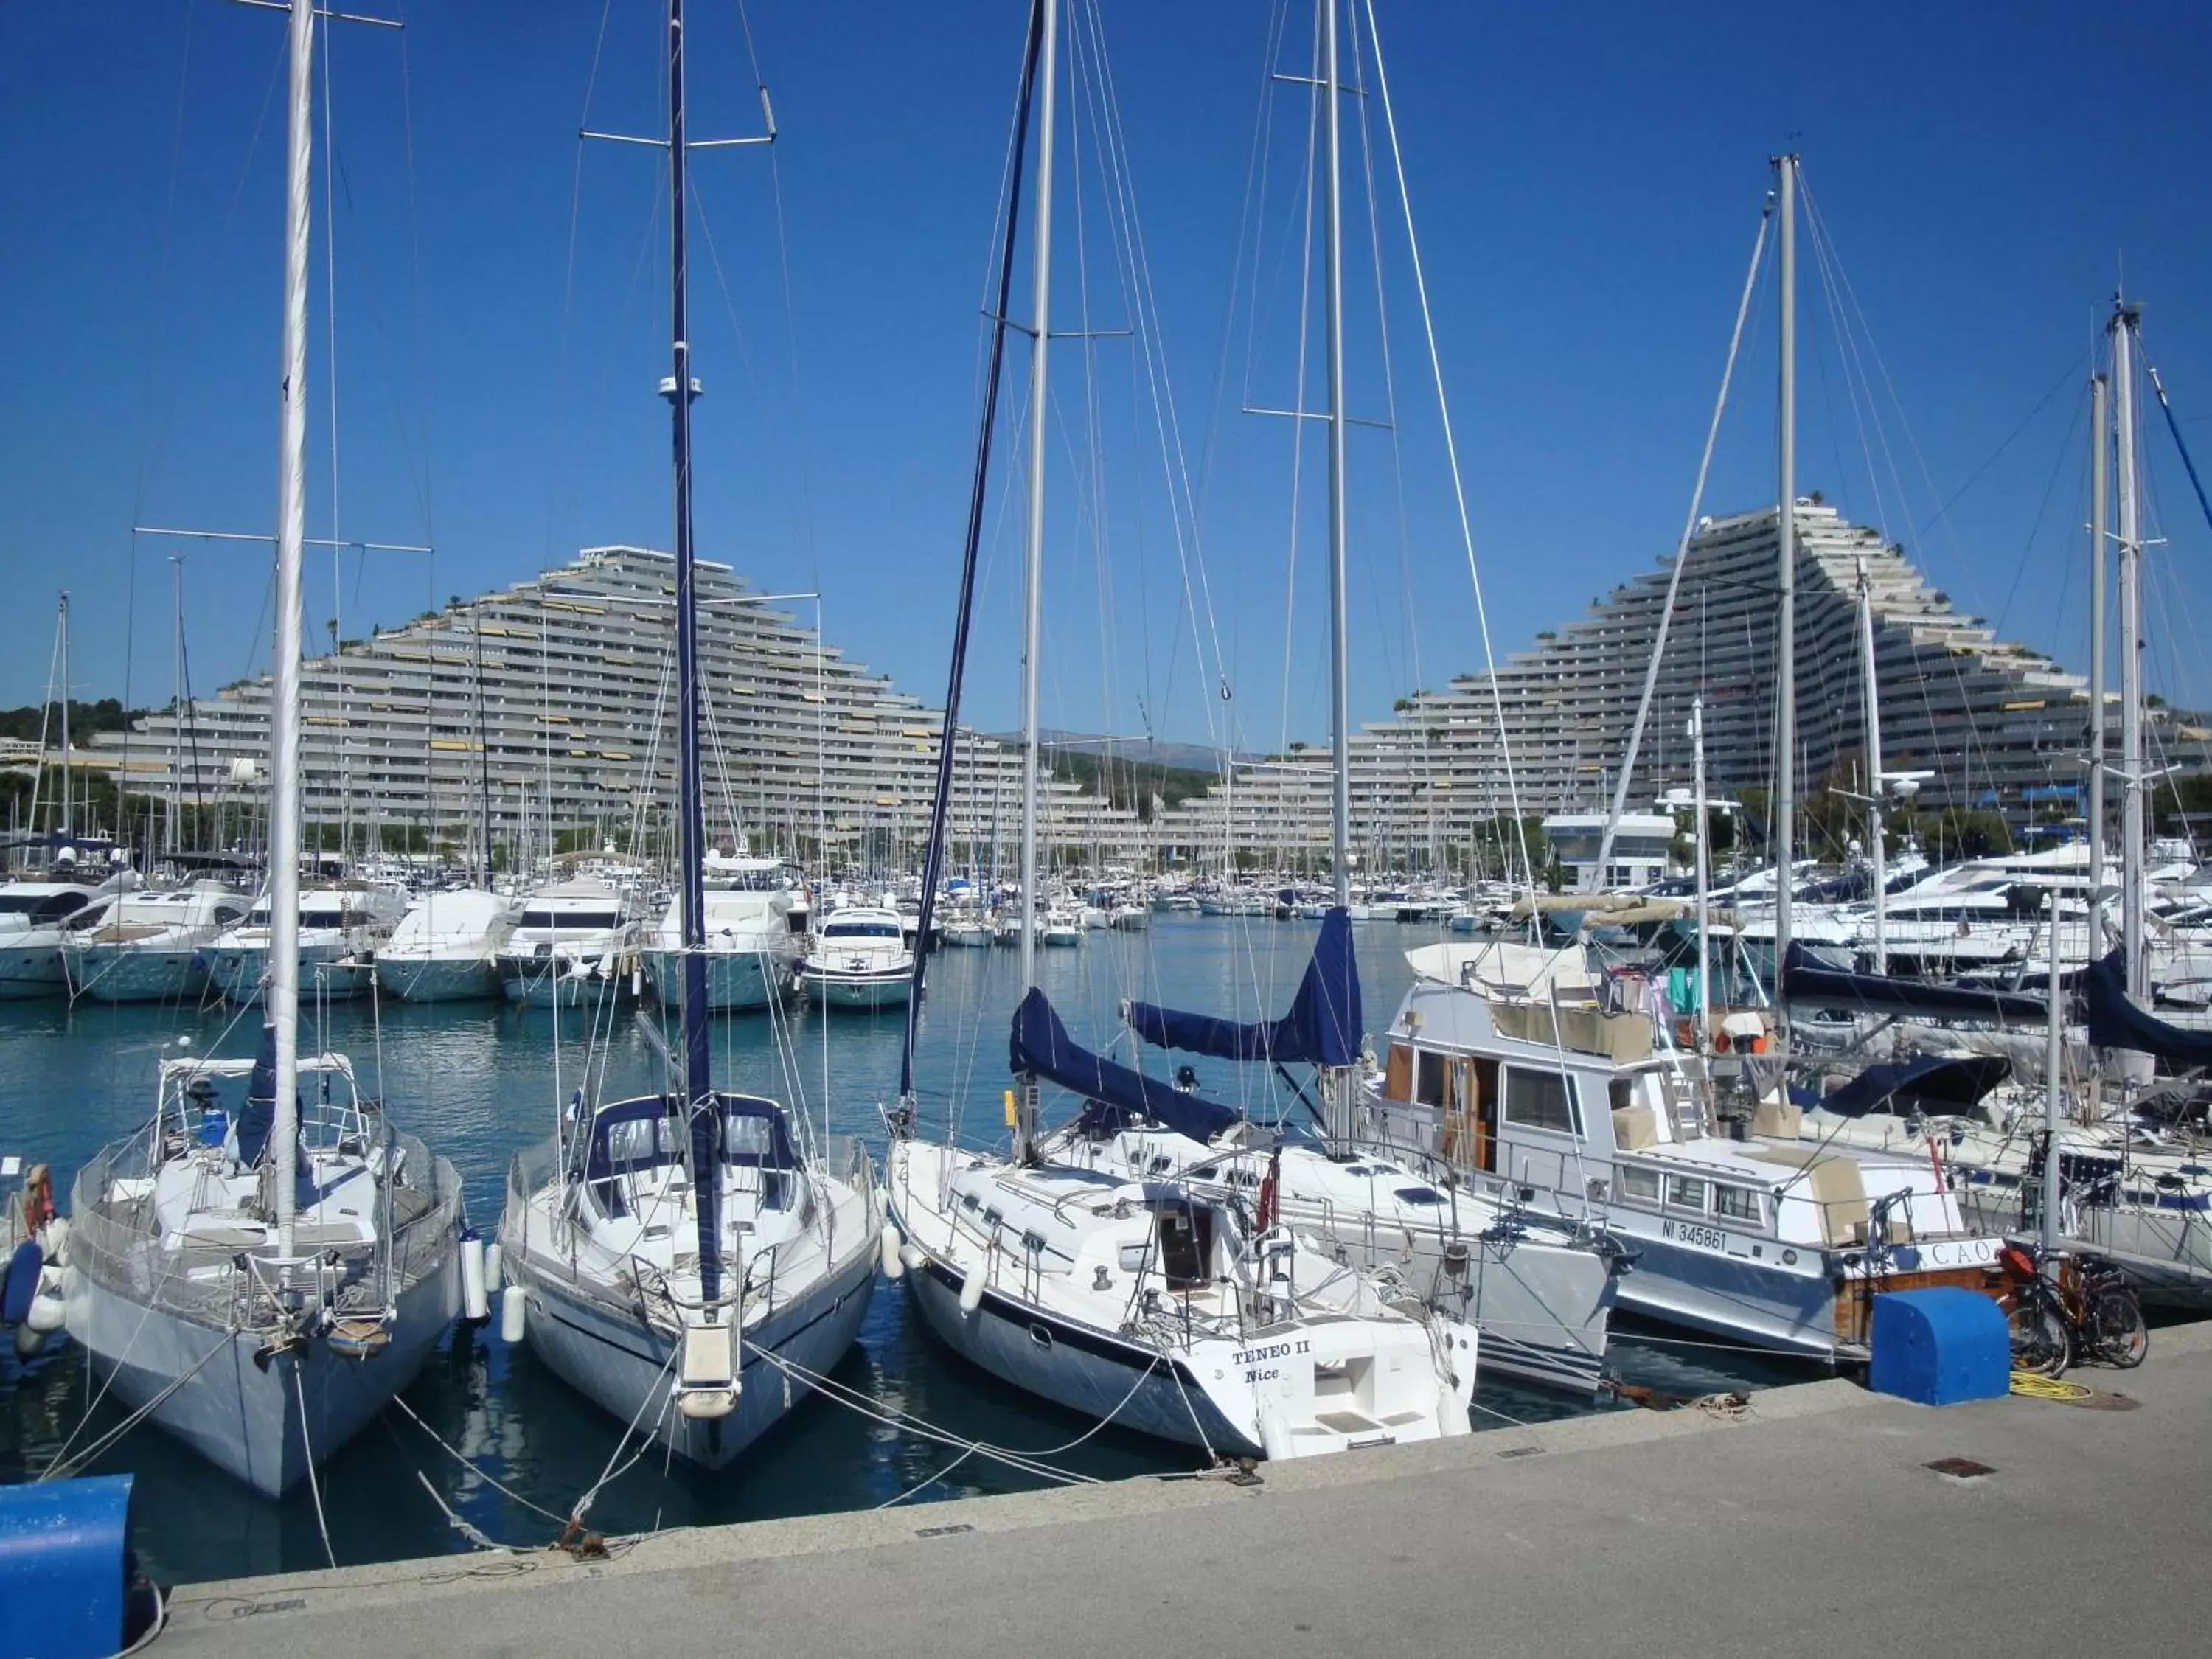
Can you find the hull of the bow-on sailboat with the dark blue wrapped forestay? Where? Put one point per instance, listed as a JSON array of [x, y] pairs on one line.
[[618, 1361]]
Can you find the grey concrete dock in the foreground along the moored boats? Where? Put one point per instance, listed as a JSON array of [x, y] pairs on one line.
[[1811, 1523]]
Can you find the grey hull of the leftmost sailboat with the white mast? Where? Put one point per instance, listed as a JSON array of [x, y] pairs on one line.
[[236, 1415]]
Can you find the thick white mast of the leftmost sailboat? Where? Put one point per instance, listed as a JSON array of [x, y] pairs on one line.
[[284, 696]]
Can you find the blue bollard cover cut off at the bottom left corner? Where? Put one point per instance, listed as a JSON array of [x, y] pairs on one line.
[[63, 1567]]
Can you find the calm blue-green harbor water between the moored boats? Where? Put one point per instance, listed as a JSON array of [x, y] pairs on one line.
[[483, 1081]]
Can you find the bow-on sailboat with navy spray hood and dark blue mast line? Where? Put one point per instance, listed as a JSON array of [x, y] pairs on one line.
[[687, 1260]]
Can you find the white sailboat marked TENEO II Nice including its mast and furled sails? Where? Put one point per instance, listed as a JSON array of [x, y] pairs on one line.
[[1138, 1302]]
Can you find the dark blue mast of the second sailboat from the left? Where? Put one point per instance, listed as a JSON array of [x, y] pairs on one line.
[[691, 824]]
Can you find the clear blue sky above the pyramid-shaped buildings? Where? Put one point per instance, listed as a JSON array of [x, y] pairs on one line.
[[1587, 185]]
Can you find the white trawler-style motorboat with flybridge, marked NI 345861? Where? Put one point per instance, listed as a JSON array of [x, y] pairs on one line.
[[1507, 1065]]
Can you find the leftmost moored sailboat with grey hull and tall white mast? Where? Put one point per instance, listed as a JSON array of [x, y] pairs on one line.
[[258, 1271]]
